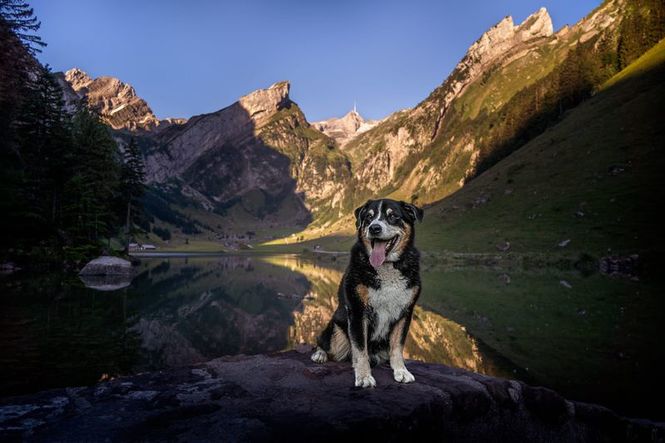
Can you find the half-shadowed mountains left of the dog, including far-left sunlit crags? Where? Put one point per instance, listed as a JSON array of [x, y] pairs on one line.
[[253, 164]]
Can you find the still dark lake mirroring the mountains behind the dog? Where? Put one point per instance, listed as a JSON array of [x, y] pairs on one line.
[[591, 337]]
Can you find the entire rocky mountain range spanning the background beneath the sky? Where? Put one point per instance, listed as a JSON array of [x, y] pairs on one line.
[[259, 166]]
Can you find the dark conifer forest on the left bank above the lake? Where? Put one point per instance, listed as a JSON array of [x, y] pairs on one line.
[[67, 188]]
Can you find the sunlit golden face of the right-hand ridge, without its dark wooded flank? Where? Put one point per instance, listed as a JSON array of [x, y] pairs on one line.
[[427, 152]]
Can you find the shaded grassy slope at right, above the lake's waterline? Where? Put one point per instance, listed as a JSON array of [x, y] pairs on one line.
[[595, 179]]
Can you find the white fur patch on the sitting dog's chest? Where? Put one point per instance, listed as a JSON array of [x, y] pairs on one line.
[[389, 300]]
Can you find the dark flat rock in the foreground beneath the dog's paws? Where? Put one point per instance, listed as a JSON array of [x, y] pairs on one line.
[[286, 396]]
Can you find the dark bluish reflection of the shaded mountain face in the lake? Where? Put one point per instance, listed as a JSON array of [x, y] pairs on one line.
[[195, 309]]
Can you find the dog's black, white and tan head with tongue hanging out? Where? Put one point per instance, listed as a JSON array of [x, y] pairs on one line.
[[386, 228]]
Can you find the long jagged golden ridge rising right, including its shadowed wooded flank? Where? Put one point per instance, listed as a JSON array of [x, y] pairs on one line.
[[507, 88]]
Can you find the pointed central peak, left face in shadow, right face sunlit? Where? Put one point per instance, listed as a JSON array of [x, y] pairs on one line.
[[261, 146]]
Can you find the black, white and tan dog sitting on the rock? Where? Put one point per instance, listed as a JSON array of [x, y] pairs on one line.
[[377, 293]]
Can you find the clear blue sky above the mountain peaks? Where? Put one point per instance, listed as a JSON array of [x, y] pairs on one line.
[[191, 57]]
